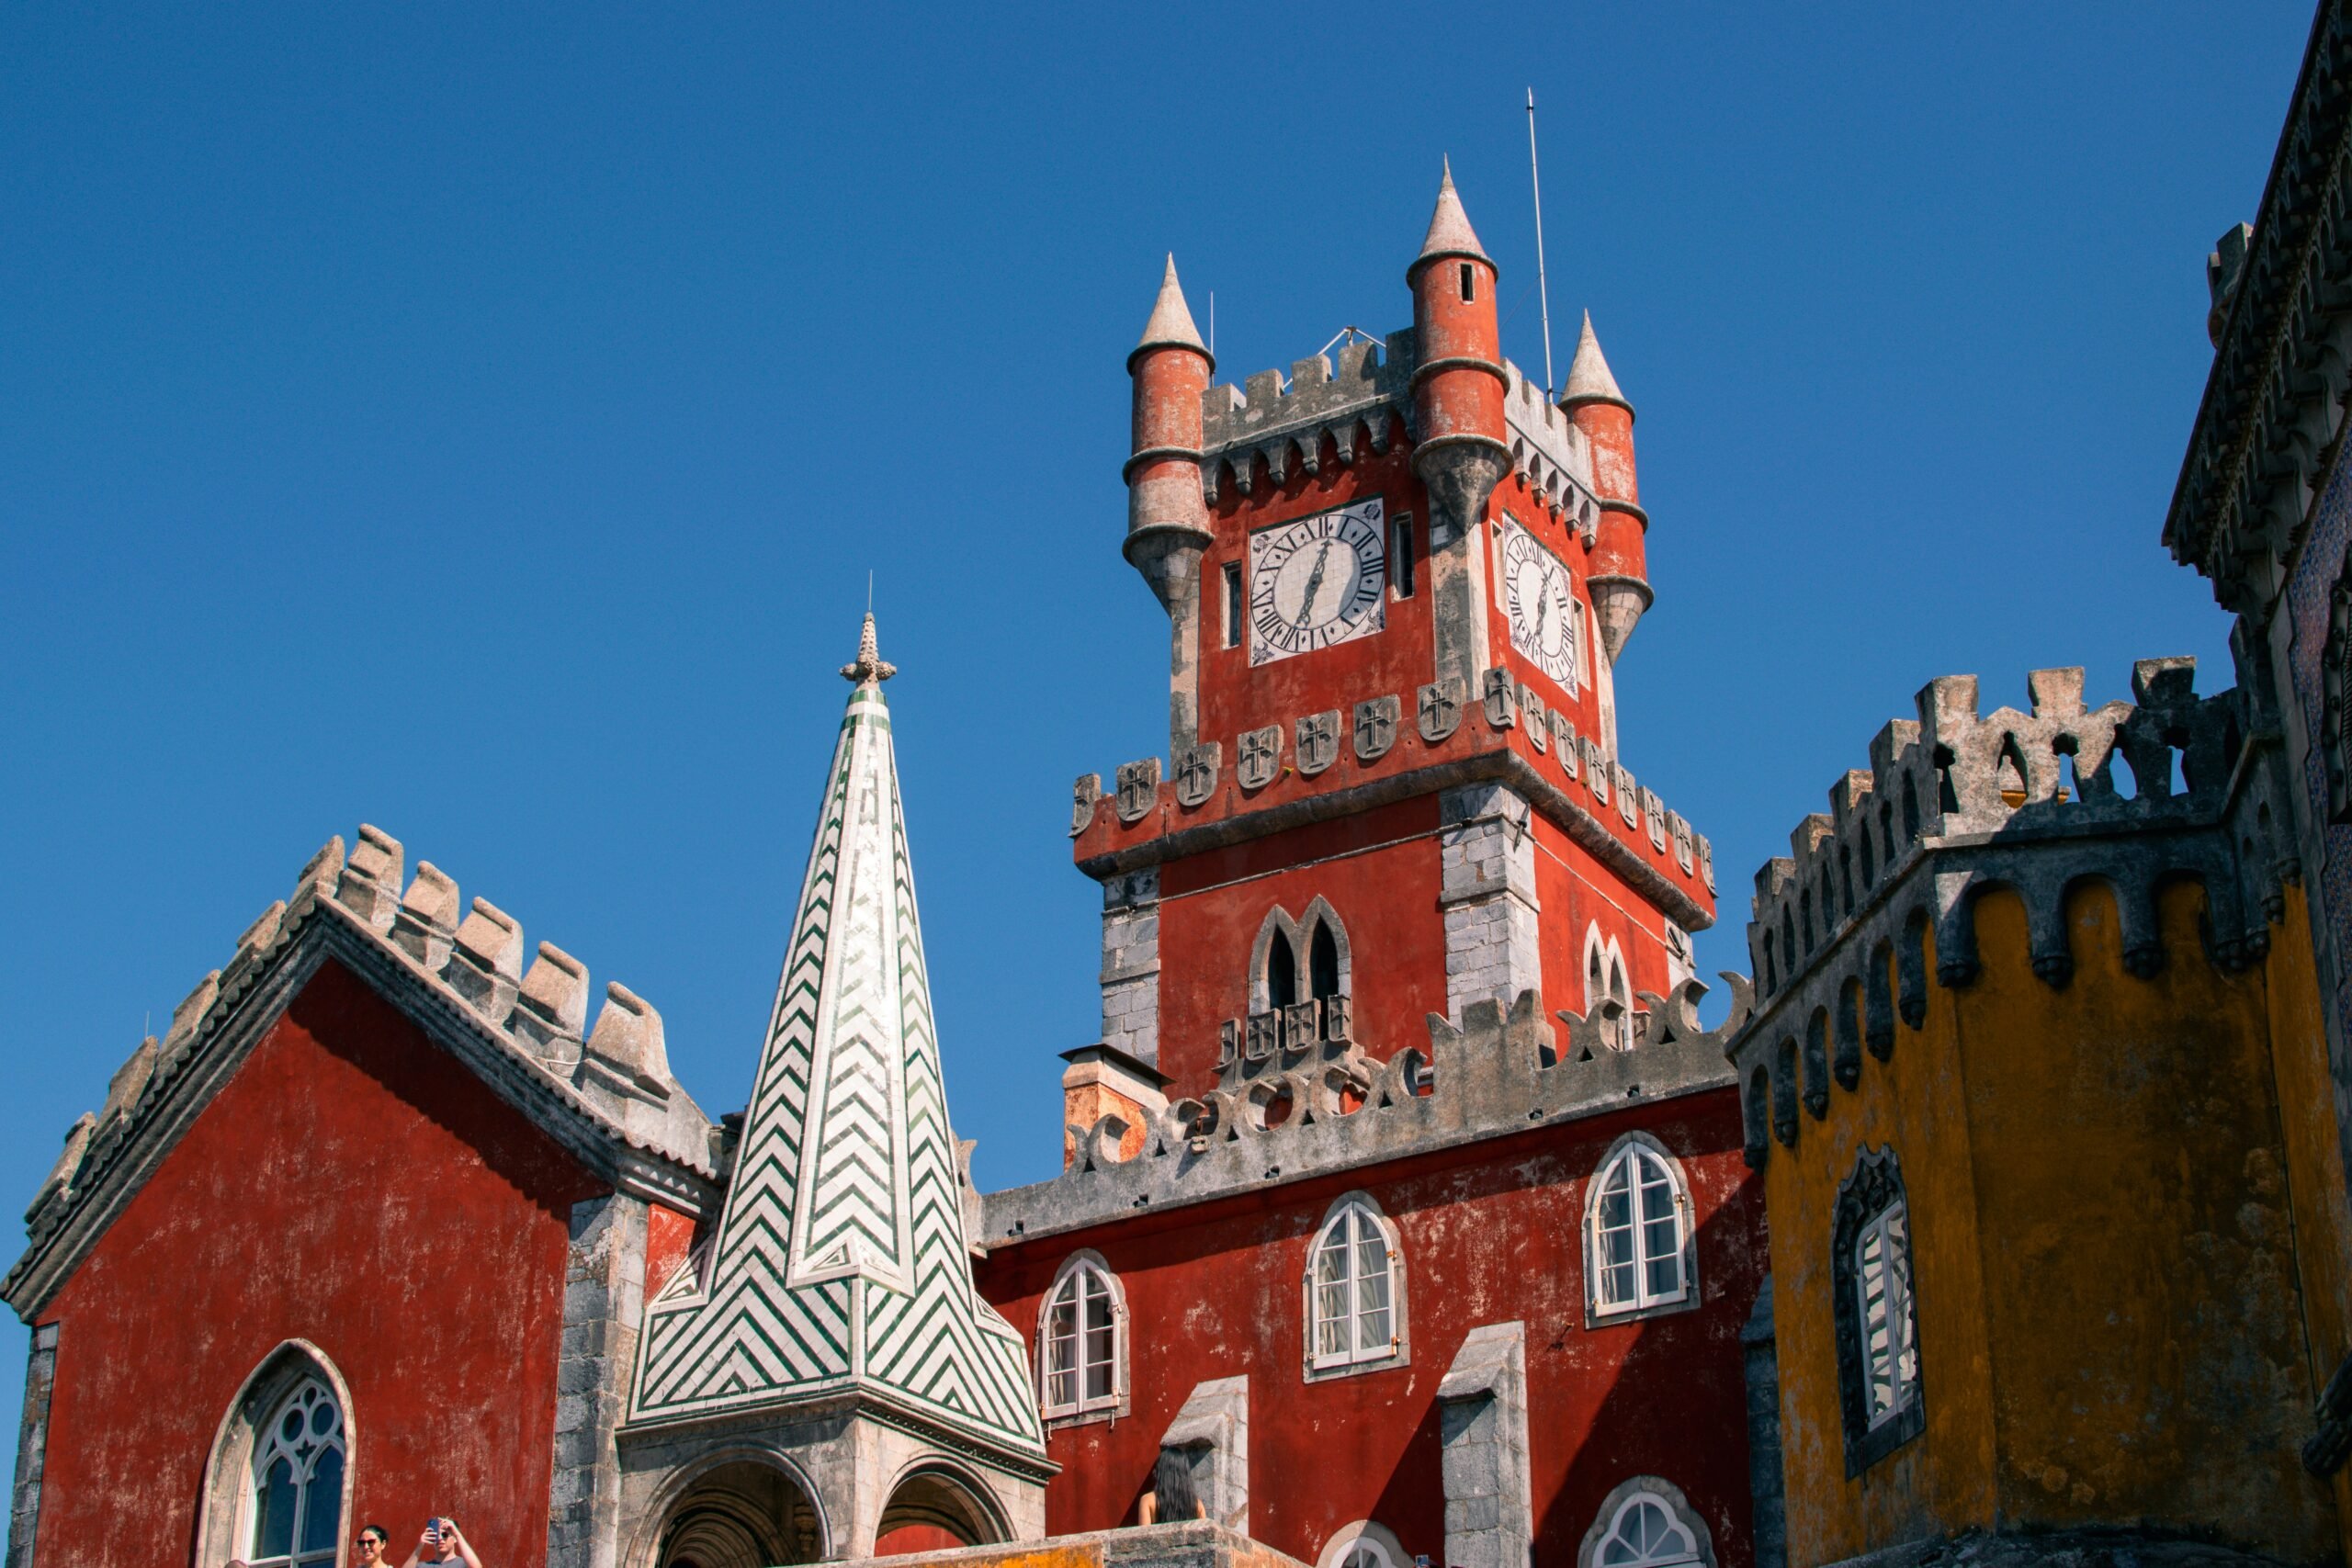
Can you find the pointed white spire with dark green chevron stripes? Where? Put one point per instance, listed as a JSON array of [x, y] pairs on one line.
[[841, 1259]]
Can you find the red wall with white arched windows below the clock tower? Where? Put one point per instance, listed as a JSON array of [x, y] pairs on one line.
[[1490, 1233]]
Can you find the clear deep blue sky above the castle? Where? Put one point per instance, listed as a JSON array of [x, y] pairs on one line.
[[481, 422]]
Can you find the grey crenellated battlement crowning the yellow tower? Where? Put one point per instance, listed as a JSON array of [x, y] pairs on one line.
[[1953, 805]]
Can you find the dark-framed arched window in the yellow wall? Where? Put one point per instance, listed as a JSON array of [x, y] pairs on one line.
[[1876, 1311]]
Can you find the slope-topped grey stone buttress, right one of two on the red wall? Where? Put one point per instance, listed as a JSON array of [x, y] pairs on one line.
[[1483, 1433]]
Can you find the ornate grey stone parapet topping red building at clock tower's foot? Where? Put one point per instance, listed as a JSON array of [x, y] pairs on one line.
[[1311, 1104]]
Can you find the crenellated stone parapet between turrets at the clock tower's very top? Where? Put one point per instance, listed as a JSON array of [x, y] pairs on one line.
[[1278, 427]]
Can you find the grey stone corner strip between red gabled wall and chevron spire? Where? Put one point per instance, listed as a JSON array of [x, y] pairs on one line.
[[603, 1313]]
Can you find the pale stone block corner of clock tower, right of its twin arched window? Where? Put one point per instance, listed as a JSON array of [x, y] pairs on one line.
[[1488, 894]]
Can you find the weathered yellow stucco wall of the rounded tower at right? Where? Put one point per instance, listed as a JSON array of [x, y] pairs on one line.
[[2111, 1318]]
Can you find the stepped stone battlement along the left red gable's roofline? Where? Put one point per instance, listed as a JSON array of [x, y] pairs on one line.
[[613, 1078]]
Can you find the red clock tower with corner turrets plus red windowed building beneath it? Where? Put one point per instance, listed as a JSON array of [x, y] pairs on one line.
[[1403, 1207]]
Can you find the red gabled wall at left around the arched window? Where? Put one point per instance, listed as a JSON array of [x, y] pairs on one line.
[[356, 1188]]
